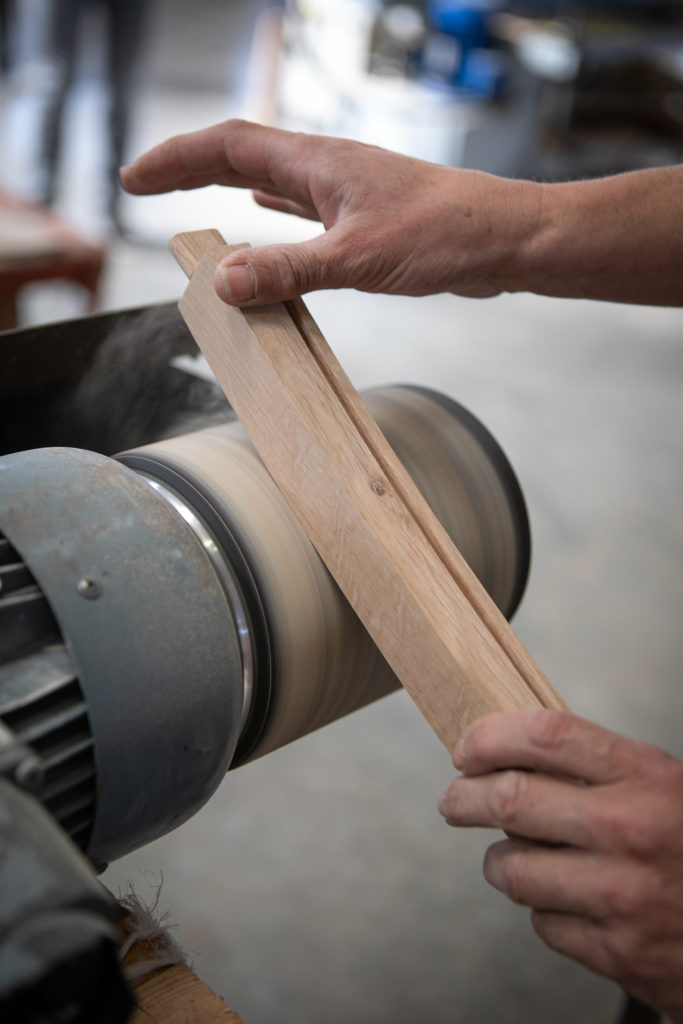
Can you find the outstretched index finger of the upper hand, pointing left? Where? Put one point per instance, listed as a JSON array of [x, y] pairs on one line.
[[235, 153]]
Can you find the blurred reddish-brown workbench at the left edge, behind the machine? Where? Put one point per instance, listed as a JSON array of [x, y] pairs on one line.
[[36, 245]]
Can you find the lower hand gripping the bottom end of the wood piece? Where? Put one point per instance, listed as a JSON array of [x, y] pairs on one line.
[[595, 842]]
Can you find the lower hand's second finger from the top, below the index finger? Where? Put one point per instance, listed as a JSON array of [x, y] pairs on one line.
[[535, 807]]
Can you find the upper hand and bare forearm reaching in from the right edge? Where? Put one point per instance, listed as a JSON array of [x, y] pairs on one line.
[[402, 226]]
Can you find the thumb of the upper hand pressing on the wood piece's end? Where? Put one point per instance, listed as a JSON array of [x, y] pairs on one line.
[[274, 274]]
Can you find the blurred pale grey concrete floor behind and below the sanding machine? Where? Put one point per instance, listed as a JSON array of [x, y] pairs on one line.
[[321, 884]]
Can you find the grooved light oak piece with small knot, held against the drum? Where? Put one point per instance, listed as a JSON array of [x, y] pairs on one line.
[[449, 645]]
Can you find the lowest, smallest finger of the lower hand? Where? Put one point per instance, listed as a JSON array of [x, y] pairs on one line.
[[583, 940]]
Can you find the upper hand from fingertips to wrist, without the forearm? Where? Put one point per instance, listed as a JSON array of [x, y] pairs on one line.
[[393, 224]]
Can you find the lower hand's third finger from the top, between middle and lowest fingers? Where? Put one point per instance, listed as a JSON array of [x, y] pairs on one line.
[[562, 880]]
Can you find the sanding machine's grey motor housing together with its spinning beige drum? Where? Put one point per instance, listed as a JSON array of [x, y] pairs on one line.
[[173, 620]]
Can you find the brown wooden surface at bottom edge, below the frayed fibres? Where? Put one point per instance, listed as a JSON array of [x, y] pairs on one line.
[[176, 996]]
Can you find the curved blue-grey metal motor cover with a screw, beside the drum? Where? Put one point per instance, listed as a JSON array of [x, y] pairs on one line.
[[148, 626]]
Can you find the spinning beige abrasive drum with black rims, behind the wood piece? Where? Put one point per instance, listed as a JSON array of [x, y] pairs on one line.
[[314, 660]]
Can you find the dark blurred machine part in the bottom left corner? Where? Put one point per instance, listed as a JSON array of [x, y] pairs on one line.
[[59, 949]]
